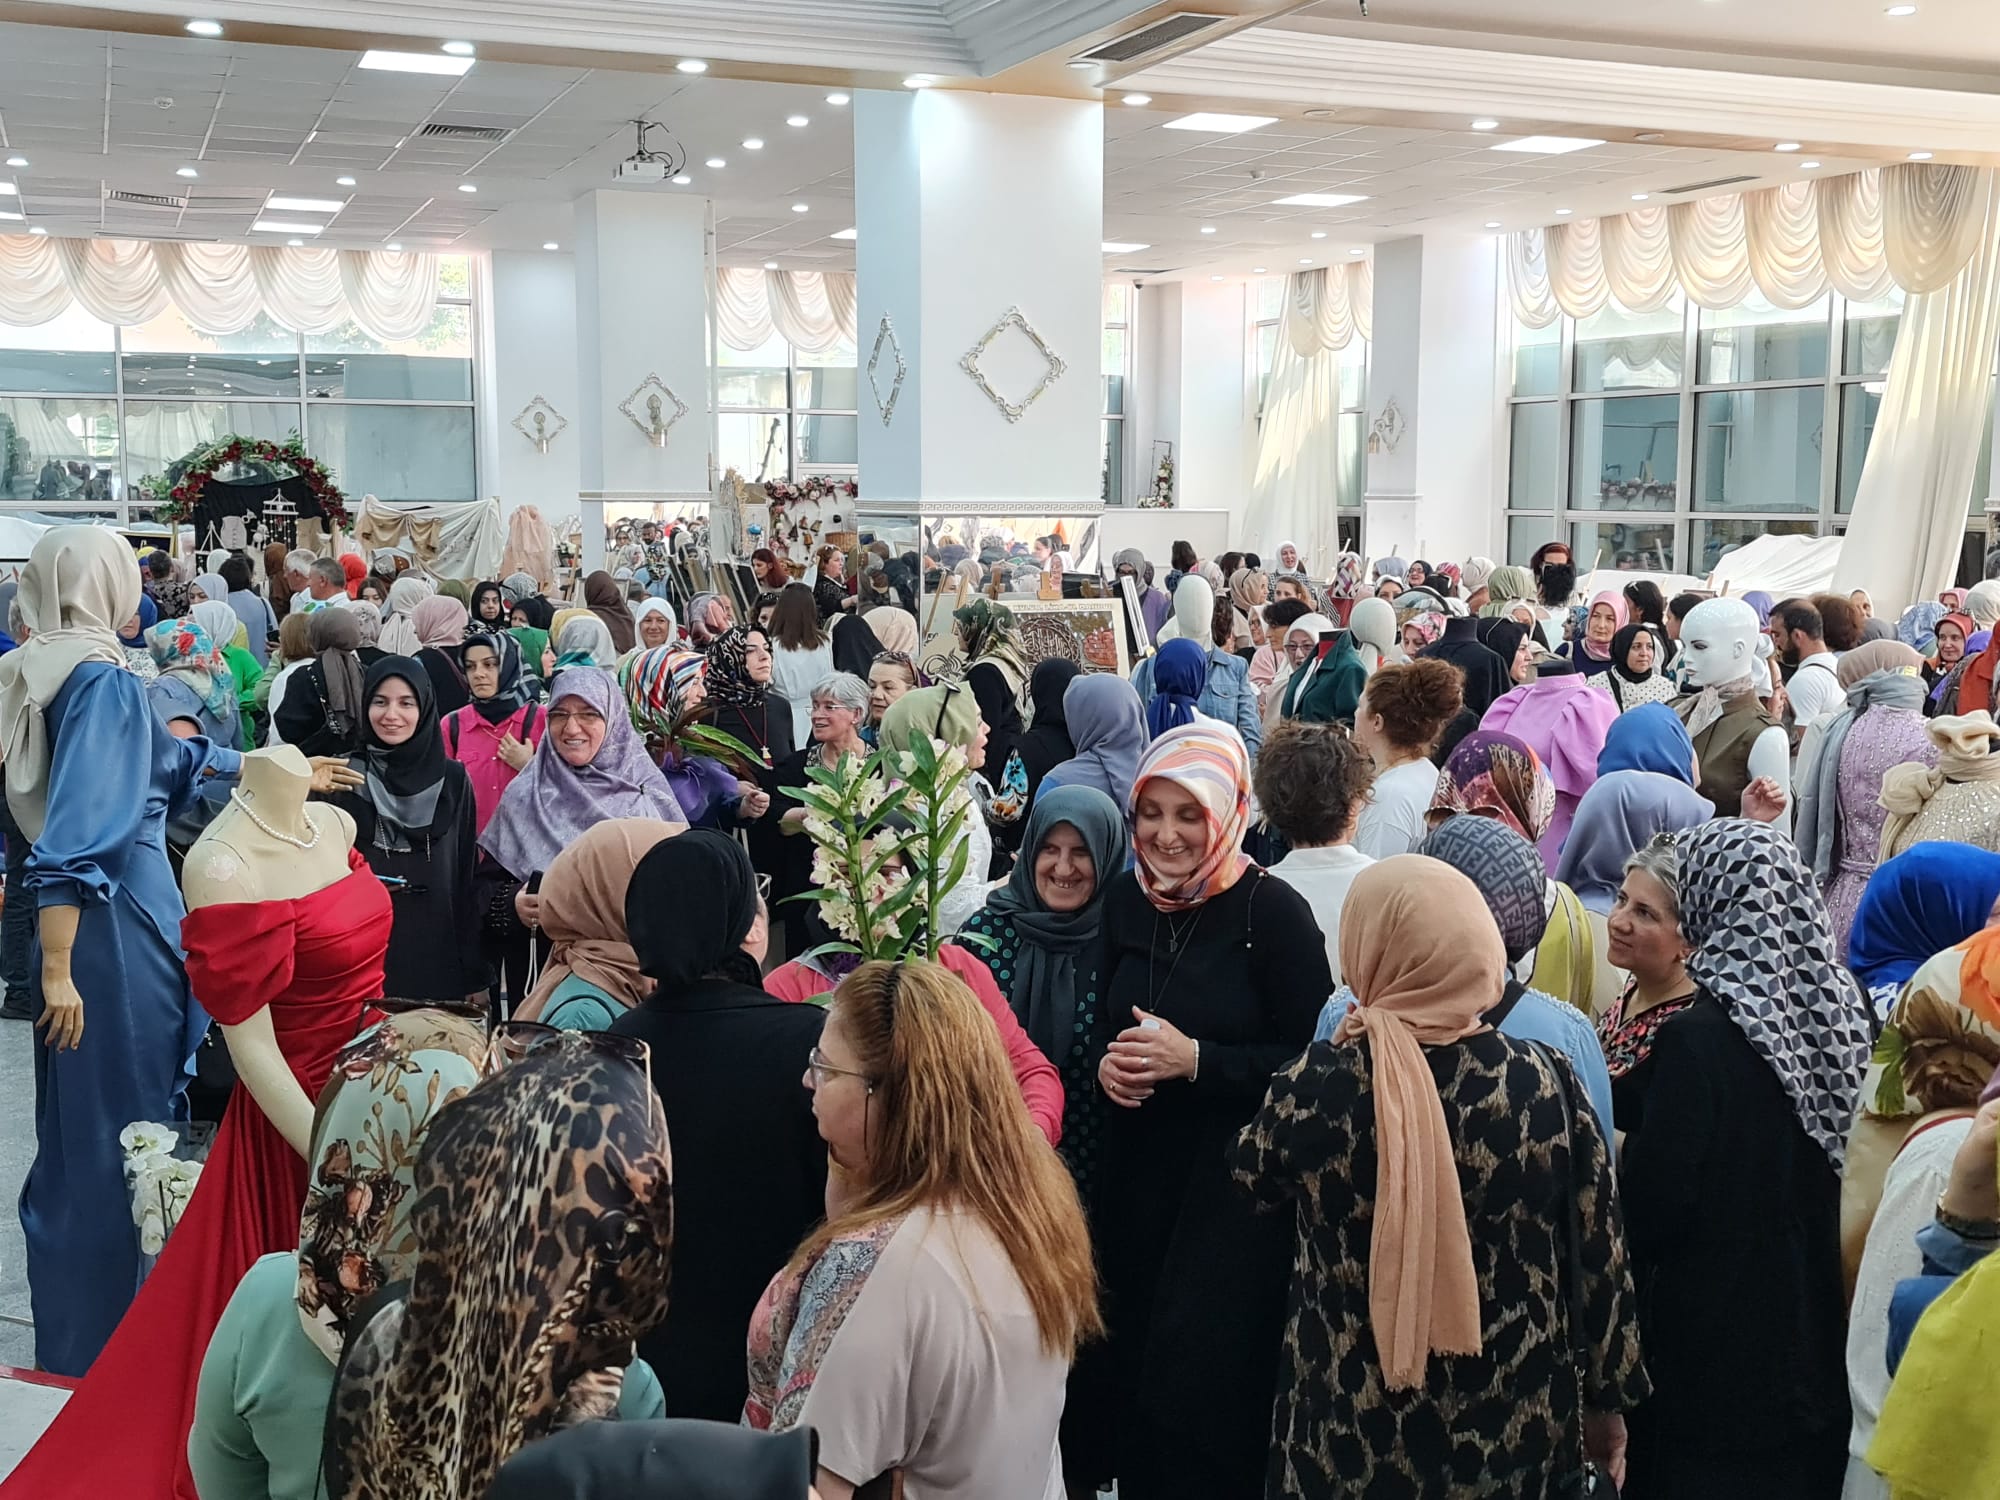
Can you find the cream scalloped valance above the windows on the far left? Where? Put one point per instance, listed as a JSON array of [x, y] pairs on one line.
[[221, 289]]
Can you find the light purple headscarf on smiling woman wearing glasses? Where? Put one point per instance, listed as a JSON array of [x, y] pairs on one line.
[[553, 803]]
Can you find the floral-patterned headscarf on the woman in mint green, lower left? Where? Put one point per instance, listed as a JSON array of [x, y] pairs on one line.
[[385, 1091]]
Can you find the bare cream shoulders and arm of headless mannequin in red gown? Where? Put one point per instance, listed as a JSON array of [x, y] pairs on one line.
[[241, 861]]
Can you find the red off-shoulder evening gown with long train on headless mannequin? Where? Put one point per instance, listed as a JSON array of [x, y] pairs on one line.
[[317, 963]]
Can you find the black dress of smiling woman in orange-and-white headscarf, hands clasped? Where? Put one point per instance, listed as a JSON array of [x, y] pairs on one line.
[[1195, 1277]]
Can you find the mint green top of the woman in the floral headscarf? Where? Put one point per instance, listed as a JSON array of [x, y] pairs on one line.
[[261, 1405]]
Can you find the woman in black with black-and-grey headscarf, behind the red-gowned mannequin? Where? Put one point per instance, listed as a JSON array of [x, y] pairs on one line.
[[415, 825]]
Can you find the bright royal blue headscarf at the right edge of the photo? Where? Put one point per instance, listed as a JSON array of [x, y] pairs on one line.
[[1929, 899]]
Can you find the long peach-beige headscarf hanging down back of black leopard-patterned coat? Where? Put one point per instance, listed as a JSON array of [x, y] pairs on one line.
[[1425, 961]]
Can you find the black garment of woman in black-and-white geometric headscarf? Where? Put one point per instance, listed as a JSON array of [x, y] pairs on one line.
[[1735, 1225]]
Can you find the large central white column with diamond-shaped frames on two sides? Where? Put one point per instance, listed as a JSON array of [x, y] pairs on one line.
[[971, 207]]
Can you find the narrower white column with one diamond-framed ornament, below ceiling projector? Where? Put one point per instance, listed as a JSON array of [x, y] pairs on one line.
[[641, 313]]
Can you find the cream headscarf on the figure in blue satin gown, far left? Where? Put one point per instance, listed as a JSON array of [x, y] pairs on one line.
[[77, 593]]
